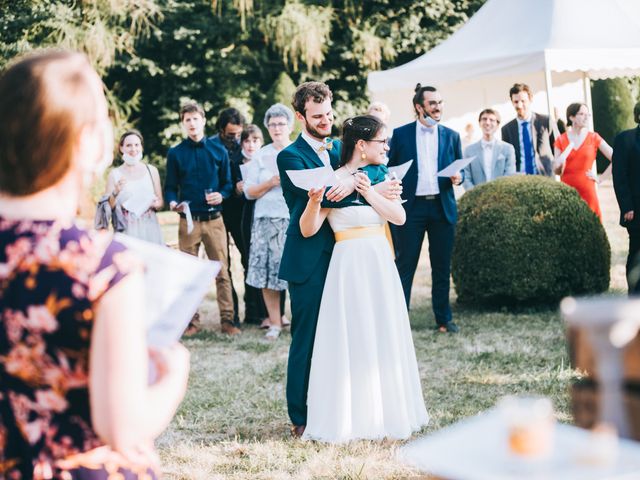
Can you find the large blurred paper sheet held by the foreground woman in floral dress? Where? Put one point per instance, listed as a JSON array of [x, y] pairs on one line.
[[175, 283]]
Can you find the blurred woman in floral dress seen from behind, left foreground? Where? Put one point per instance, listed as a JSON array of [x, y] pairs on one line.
[[75, 395]]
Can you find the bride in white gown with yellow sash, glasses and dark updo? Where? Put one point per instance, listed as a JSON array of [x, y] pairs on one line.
[[364, 381]]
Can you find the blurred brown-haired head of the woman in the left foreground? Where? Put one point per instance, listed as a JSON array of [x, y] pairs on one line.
[[46, 99]]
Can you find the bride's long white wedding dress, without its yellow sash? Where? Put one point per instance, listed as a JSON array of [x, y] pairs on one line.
[[364, 381]]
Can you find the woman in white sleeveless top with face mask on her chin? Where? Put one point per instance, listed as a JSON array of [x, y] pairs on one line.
[[135, 186]]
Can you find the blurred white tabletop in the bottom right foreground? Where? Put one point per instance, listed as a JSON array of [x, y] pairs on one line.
[[476, 449]]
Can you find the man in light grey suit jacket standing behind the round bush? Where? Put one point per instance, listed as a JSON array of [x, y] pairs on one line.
[[493, 158]]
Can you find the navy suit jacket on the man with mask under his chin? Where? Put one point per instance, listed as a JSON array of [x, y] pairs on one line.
[[403, 147]]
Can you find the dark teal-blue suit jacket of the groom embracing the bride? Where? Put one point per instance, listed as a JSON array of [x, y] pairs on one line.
[[300, 255]]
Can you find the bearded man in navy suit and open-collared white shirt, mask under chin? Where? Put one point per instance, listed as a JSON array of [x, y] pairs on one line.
[[430, 206]]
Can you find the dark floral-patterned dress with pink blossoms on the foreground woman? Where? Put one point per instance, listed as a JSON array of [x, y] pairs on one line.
[[51, 275]]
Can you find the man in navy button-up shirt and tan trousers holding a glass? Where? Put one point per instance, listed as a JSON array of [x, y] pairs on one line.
[[198, 173]]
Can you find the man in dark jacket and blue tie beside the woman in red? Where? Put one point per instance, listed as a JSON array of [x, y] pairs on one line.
[[530, 134]]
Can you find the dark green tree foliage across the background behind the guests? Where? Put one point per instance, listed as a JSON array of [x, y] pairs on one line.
[[155, 54]]
